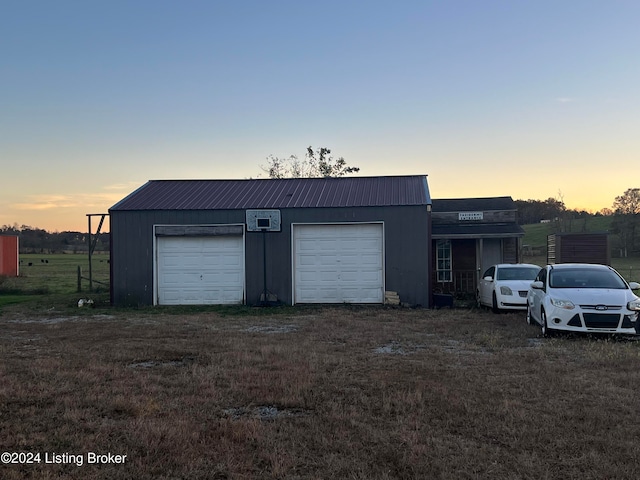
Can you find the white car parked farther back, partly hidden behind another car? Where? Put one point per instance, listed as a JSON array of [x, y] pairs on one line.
[[505, 286]]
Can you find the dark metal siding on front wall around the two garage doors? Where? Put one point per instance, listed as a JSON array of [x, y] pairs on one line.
[[407, 249]]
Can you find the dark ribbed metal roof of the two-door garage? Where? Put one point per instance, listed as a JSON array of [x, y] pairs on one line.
[[278, 193]]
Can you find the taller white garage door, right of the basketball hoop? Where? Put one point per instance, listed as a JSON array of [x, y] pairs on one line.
[[338, 263]]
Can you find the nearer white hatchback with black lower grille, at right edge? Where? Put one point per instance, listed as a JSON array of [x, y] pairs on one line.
[[583, 298]]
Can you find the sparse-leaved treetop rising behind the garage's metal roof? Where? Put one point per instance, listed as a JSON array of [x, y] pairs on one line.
[[317, 163]]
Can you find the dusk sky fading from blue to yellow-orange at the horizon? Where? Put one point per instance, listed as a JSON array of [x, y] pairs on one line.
[[531, 99]]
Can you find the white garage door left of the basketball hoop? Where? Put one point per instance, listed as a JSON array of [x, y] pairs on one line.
[[200, 270]]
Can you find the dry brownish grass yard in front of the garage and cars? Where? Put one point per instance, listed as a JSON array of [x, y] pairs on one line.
[[316, 393]]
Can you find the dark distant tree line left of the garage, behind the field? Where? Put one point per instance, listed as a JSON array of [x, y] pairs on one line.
[[37, 240]]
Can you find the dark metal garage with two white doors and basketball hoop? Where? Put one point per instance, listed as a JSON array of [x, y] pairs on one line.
[[297, 241]]
